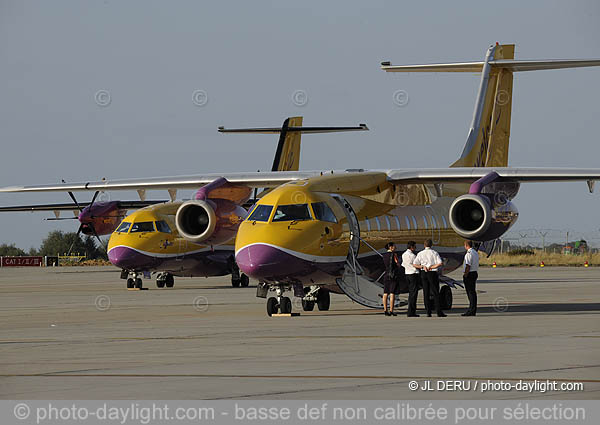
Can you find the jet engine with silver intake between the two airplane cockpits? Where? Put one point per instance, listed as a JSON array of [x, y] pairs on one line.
[[212, 221]]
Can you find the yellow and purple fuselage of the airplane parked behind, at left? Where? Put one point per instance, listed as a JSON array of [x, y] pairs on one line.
[[147, 240]]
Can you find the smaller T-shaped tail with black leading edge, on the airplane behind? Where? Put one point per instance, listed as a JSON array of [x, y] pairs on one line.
[[287, 155]]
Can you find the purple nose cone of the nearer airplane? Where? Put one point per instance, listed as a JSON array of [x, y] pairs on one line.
[[267, 262]]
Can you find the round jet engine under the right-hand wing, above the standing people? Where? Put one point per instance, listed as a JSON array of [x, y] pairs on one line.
[[482, 217]]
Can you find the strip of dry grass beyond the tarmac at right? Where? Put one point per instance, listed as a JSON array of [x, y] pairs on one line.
[[549, 259]]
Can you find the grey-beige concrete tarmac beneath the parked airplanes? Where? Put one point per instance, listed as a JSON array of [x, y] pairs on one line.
[[77, 333]]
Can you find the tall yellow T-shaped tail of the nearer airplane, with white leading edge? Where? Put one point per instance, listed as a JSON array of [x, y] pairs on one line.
[[489, 134]]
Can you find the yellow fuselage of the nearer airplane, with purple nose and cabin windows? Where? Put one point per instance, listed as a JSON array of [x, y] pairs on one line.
[[302, 232]]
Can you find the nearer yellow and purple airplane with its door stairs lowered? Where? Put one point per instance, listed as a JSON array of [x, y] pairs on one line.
[[322, 231]]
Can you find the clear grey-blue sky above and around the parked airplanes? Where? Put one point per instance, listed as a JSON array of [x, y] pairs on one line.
[[249, 57]]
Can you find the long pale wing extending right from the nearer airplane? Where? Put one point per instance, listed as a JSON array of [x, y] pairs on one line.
[[471, 174]]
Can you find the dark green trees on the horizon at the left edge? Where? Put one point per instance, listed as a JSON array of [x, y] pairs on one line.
[[58, 243]]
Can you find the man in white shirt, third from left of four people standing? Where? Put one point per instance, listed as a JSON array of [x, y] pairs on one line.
[[429, 261]]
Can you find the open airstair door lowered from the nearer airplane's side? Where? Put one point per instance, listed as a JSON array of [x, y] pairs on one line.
[[354, 282]]
